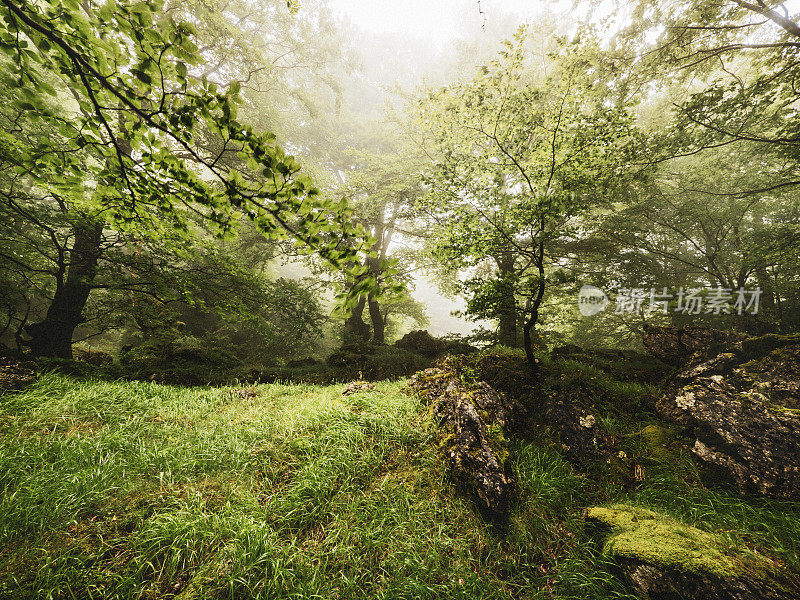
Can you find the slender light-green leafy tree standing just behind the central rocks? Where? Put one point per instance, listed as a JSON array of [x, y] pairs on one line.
[[519, 156]]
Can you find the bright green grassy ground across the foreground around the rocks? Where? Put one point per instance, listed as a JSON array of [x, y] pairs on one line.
[[142, 490]]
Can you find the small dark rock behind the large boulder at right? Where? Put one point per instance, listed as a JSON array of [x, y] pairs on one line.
[[677, 345]]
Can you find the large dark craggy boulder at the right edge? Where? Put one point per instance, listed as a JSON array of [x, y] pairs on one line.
[[741, 408]]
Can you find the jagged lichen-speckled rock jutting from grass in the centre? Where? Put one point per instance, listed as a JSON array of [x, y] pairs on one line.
[[473, 421]]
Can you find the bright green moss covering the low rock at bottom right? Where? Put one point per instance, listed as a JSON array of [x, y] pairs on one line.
[[660, 540]]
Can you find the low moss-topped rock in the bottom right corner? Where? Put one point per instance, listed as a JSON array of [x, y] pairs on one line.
[[665, 559]]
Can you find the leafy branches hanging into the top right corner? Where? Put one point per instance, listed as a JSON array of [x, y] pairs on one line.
[[738, 63]]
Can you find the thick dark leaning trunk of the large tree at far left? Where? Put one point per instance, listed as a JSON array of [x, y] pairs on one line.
[[53, 336]]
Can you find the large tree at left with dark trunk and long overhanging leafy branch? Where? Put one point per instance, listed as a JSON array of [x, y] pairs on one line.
[[124, 152]]
